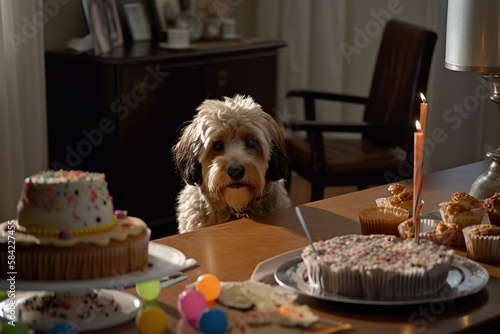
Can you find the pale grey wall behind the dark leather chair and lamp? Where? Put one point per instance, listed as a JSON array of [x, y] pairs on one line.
[[464, 136]]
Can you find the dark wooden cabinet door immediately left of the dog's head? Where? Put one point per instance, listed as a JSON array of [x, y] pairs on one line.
[[156, 100]]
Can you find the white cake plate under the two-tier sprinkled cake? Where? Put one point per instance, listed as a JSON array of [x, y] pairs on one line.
[[163, 260]]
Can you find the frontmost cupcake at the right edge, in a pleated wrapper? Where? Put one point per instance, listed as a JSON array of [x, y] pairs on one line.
[[482, 242]]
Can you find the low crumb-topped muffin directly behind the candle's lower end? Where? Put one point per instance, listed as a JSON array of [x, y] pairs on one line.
[[428, 231]]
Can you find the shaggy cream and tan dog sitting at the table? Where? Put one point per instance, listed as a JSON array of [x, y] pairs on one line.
[[232, 158]]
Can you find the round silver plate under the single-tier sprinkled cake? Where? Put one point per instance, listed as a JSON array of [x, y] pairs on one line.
[[466, 277]]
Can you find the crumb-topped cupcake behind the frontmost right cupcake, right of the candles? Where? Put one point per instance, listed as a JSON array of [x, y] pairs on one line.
[[463, 210]]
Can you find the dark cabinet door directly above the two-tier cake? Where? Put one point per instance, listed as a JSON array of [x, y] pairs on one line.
[[82, 130]]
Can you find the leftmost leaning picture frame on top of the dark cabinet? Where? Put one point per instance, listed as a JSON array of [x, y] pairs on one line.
[[97, 25]]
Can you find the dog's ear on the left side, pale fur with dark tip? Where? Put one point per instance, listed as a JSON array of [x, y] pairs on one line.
[[185, 156]]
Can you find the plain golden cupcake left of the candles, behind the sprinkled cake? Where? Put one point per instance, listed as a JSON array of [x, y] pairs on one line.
[[382, 220]]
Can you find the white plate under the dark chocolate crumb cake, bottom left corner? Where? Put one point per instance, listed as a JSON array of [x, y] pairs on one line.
[[129, 306]]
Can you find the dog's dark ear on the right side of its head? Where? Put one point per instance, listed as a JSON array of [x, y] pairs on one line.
[[279, 166]]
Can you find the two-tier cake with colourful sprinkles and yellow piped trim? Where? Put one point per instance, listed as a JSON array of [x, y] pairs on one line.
[[67, 229]]
